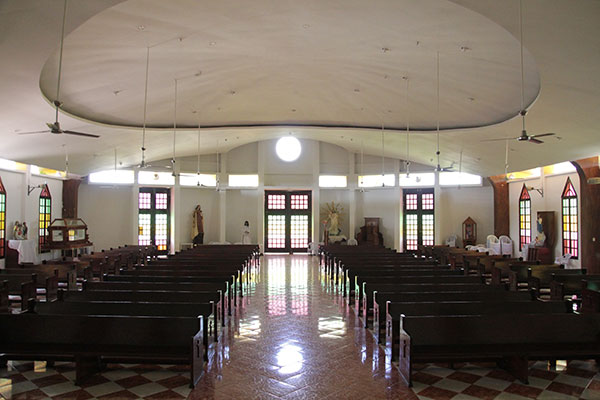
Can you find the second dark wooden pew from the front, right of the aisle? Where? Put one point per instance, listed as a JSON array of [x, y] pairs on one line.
[[498, 305]]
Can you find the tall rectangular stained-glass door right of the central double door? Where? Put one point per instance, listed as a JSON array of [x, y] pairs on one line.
[[419, 226]]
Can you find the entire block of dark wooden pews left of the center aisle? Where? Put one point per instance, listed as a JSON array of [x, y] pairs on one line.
[[158, 310]]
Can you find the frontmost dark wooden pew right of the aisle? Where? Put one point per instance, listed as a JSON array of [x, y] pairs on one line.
[[509, 339]]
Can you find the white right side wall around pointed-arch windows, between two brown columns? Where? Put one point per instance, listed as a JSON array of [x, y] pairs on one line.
[[551, 201]]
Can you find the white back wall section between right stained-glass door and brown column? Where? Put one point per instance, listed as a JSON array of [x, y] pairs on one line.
[[455, 205]]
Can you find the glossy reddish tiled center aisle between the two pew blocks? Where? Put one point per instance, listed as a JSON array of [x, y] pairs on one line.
[[295, 339]]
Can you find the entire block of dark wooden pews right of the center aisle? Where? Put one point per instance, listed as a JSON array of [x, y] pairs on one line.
[[449, 305]]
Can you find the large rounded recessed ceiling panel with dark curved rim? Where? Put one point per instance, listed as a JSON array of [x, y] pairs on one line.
[[315, 62]]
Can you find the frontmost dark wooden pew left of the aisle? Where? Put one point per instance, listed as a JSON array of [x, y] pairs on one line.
[[94, 339]]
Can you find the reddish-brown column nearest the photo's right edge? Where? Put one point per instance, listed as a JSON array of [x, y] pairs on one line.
[[589, 215]]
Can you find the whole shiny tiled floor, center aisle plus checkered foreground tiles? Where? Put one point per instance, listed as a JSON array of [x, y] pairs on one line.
[[294, 338]]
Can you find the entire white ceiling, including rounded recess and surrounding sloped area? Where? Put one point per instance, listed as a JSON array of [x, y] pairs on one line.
[[330, 70]]
